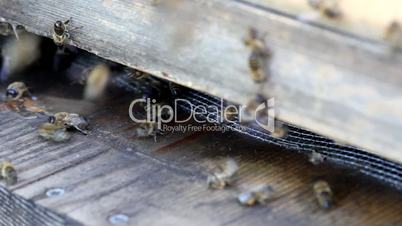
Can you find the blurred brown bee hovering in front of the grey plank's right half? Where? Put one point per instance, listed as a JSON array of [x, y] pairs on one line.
[[259, 57]]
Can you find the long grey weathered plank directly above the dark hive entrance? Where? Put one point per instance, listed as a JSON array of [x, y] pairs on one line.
[[336, 85]]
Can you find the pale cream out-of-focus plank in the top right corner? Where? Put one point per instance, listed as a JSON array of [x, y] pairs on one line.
[[366, 19]]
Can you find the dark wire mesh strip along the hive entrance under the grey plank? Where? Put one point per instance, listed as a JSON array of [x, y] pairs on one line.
[[297, 139]]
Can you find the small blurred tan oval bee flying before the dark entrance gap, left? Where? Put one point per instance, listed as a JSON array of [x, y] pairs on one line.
[[97, 81]]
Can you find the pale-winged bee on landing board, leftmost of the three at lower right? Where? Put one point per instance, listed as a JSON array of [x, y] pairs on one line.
[[222, 175]]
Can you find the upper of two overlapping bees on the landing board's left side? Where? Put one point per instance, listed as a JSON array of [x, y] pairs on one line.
[[70, 120]]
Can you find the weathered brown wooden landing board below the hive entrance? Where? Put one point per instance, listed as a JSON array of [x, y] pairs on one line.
[[164, 183]]
